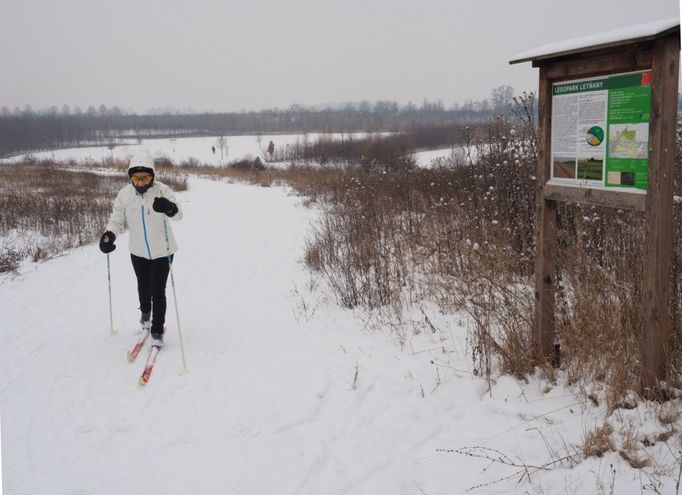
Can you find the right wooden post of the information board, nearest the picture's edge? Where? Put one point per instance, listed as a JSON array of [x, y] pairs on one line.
[[655, 320]]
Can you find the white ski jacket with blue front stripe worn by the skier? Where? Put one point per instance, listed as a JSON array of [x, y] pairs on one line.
[[148, 228]]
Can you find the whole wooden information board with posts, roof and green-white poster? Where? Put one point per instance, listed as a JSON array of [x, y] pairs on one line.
[[607, 123]]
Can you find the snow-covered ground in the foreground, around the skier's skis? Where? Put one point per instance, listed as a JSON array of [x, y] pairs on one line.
[[286, 392]]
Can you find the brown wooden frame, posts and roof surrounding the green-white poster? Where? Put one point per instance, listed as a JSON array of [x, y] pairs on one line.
[[660, 54]]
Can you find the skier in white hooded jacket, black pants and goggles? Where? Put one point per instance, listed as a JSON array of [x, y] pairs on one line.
[[144, 205]]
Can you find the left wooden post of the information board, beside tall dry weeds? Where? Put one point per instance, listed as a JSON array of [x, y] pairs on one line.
[[545, 232]]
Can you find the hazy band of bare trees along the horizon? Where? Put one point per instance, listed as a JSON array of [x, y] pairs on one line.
[[26, 130]]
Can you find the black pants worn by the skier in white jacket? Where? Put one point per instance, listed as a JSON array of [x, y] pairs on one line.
[[152, 276]]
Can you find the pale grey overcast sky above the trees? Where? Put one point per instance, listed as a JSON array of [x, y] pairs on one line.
[[253, 54]]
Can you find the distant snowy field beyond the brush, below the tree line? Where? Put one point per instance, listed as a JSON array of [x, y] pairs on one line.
[[201, 149]]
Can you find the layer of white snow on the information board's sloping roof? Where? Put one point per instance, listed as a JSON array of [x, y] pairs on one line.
[[632, 34]]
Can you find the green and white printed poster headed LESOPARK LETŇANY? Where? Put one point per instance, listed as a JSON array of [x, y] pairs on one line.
[[600, 132]]
